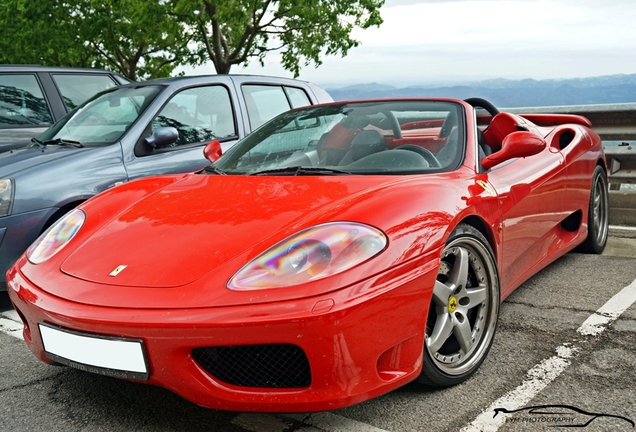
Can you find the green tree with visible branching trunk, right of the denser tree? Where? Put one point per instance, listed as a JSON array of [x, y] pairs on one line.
[[232, 32]]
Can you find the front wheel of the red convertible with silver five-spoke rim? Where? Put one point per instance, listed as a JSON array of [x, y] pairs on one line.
[[464, 310]]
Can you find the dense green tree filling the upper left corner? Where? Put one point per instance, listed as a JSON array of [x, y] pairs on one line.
[[138, 38]]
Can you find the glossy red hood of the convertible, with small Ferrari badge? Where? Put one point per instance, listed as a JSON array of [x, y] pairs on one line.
[[178, 234]]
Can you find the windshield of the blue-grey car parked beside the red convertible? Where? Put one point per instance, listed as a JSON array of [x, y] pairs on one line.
[[103, 119]]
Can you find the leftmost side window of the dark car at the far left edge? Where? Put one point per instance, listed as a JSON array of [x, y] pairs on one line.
[[22, 102]]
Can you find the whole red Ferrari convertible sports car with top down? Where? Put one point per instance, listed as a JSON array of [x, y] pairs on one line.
[[336, 253]]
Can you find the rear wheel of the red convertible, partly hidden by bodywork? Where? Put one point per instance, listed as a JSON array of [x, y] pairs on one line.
[[598, 214]]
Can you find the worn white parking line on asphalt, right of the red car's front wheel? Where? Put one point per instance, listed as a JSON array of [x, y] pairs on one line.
[[548, 370]]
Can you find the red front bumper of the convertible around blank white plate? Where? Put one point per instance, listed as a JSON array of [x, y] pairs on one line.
[[359, 342]]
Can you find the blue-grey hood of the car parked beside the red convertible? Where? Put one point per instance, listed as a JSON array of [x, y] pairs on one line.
[[15, 161]]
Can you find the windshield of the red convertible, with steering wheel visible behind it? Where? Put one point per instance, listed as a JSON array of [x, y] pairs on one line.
[[384, 137]]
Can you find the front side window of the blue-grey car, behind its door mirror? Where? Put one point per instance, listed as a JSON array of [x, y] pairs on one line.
[[200, 114]]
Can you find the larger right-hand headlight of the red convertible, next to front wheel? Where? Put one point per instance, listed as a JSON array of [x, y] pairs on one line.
[[312, 254]]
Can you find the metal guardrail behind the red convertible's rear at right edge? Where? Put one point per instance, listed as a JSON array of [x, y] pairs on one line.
[[613, 122]]
